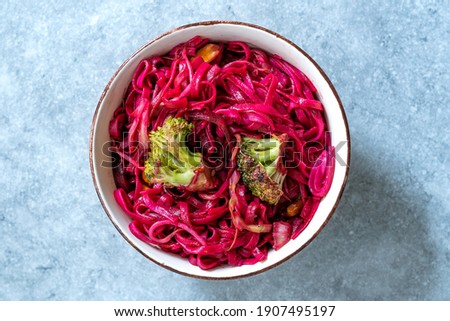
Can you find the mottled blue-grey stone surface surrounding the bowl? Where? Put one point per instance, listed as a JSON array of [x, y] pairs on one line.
[[389, 238]]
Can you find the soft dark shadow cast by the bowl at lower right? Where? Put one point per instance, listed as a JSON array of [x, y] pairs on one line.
[[375, 247]]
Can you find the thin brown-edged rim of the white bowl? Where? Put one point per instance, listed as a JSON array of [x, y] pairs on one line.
[[207, 23]]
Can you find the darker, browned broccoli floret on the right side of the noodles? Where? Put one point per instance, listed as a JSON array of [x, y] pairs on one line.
[[257, 162]]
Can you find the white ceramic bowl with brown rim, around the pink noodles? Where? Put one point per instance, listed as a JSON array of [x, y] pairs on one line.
[[220, 31]]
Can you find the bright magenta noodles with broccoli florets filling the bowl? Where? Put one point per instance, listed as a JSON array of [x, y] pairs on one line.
[[221, 152]]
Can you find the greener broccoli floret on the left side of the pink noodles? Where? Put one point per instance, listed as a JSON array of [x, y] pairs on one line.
[[171, 162]]
